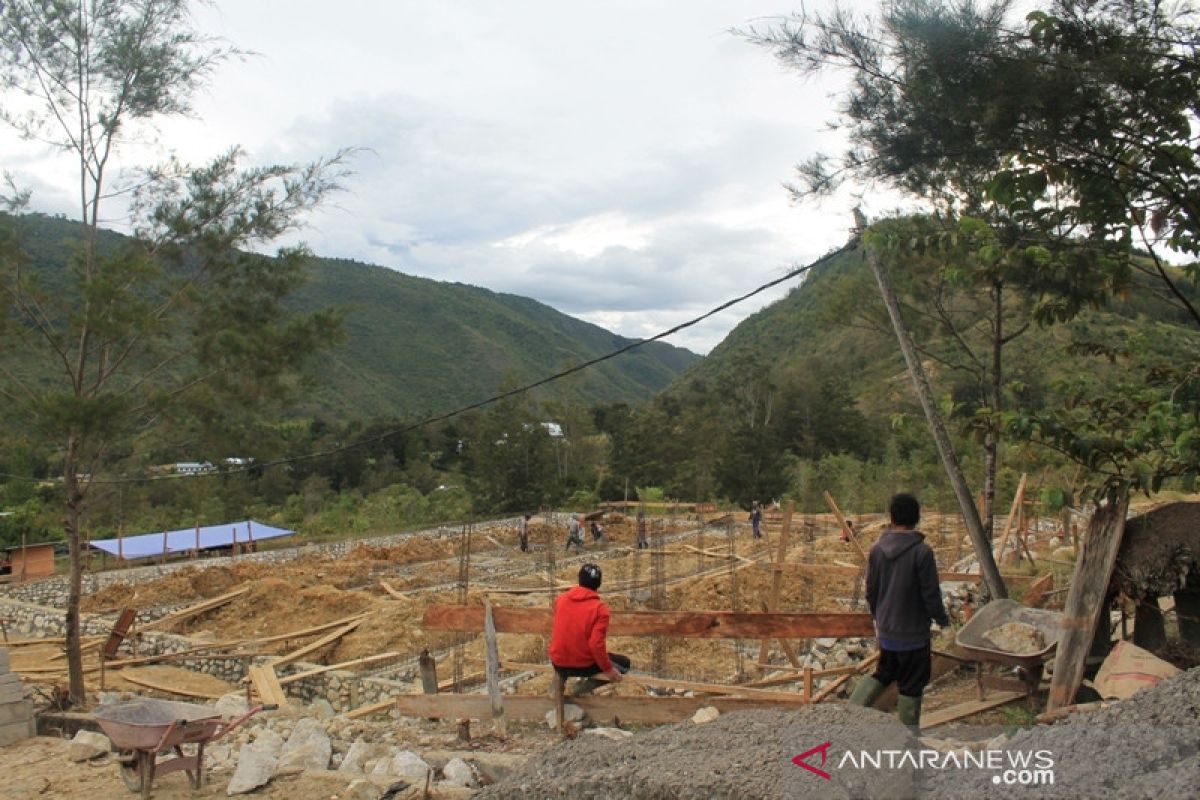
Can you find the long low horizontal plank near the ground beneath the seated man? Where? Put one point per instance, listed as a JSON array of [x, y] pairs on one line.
[[644, 711]]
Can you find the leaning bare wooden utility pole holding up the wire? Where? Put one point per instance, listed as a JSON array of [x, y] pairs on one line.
[[993, 582]]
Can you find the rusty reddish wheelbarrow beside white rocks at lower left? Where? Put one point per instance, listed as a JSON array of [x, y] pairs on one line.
[[143, 730]]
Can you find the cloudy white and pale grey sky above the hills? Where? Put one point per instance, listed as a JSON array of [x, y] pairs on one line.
[[619, 161]]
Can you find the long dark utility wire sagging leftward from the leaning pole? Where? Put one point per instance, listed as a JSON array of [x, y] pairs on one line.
[[495, 399]]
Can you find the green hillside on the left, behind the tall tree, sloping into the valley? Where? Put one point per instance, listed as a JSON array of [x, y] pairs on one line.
[[416, 346]]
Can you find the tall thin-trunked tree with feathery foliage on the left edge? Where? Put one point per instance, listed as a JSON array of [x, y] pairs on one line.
[[177, 320]]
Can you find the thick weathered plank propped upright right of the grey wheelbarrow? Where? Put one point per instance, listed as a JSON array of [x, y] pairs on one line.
[[1085, 601]]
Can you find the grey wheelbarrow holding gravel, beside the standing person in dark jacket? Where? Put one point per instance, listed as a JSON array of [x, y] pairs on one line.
[[1029, 666]]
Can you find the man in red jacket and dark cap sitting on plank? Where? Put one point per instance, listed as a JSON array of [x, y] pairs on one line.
[[579, 646]]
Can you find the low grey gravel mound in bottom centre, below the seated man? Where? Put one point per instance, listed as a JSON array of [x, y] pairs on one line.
[[739, 756]]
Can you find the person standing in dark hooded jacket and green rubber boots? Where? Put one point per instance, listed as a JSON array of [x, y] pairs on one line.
[[904, 594]]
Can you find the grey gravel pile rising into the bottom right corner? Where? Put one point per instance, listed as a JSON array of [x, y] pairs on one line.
[[1148, 747]]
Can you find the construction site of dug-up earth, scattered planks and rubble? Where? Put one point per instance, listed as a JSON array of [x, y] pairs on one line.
[[416, 665]]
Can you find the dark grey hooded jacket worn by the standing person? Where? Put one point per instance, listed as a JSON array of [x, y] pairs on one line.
[[903, 590]]
